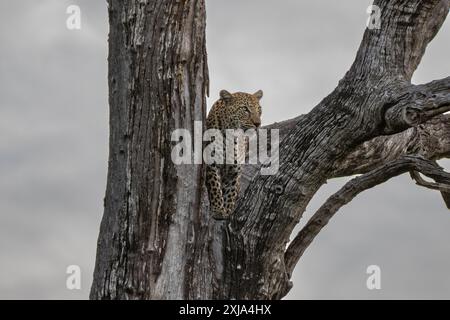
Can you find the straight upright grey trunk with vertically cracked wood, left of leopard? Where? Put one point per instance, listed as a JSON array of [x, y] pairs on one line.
[[158, 81]]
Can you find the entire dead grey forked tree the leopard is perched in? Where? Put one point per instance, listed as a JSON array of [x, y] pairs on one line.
[[157, 240]]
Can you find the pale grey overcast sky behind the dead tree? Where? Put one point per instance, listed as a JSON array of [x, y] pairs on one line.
[[54, 144]]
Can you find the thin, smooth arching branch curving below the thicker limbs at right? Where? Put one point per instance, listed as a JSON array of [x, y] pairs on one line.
[[350, 190]]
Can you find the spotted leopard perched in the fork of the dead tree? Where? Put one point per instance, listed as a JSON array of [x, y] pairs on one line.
[[237, 110]]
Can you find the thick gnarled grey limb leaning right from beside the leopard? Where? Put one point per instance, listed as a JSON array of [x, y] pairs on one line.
[[358, 110]]
